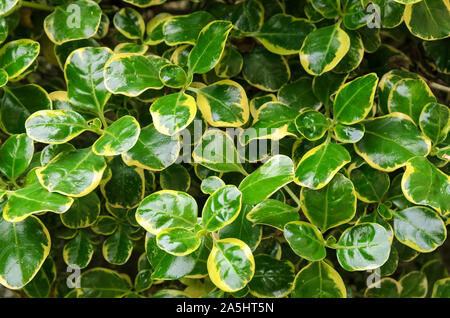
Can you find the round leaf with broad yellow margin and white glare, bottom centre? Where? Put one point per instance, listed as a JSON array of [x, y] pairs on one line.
[[231, 264]]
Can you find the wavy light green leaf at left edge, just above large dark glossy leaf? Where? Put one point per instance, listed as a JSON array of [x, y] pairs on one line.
[[34, 199]]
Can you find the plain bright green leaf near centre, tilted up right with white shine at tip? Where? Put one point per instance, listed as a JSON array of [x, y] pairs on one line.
[[267, 179]]
